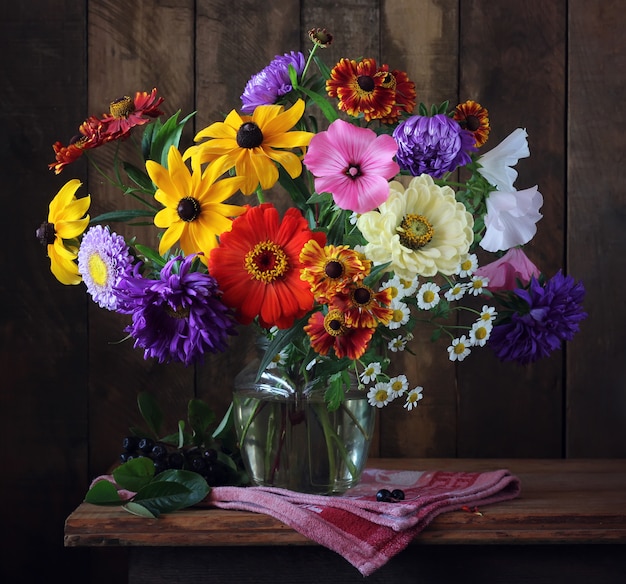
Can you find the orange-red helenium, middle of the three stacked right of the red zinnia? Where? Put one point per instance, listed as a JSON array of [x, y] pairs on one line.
[[362, 307]]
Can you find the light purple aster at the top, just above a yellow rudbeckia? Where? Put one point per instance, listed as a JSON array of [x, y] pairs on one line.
[[265, 87]]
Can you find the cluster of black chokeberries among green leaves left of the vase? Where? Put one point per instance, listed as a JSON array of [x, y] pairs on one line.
[[204, 461]]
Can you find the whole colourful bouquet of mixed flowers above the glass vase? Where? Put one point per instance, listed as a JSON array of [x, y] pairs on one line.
[[389, 203]]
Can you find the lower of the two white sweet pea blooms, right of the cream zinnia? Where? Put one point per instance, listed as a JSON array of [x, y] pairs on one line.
[[511, 218]]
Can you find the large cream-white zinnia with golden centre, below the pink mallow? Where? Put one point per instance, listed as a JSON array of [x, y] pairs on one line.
[[420, 230]]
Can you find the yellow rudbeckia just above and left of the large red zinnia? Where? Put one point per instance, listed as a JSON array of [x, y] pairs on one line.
[[194, 212]]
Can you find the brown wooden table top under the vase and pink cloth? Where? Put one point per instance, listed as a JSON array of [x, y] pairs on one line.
[[562, 501]]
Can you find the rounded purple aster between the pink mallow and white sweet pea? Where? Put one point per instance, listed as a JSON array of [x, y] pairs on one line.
[[432, 145]]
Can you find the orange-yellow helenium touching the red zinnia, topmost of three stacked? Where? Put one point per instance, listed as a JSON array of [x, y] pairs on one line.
[[331, 268]]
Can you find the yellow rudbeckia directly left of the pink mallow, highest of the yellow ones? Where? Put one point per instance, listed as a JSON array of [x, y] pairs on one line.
[[253, 144]]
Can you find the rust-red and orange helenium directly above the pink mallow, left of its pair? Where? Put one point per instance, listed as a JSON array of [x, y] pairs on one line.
[[361, 88]]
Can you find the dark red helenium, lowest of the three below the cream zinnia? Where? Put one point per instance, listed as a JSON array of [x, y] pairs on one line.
[[330, 330]]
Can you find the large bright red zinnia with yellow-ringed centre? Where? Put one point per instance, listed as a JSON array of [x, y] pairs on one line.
[[257, 266]]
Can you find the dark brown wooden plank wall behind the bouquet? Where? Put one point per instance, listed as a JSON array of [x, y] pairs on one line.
[[67, 390]]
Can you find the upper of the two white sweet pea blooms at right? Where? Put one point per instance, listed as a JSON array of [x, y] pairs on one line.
[[495, 165]]
